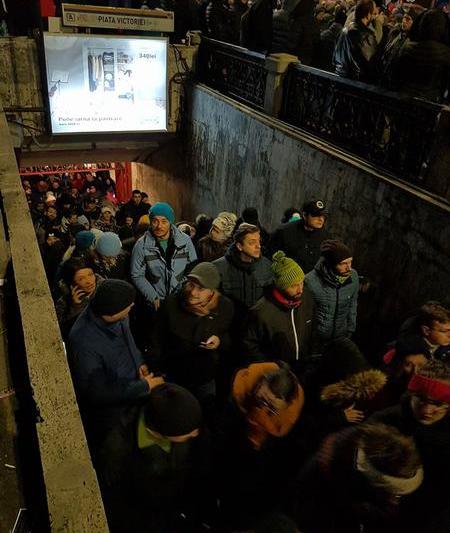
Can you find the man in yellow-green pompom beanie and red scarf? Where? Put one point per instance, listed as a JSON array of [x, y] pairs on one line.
[[280, 323]]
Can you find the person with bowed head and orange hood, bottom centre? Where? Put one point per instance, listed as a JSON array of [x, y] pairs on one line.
[[258, 447]]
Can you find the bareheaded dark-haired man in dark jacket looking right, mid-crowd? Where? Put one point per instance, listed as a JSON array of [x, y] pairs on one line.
[[243, 270]]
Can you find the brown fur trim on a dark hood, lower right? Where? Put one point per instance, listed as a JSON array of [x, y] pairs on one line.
[[358, 388]]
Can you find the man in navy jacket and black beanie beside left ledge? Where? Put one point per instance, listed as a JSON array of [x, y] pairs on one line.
[[108, 369]]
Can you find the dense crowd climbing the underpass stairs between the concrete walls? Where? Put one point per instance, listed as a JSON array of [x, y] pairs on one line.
[[216, 375]]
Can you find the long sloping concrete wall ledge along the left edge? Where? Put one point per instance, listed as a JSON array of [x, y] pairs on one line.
[[72, 490]]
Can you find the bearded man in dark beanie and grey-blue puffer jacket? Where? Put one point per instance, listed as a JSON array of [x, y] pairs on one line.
[[334, 286]]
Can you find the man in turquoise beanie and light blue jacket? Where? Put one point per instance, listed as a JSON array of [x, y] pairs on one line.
[[160, 257]]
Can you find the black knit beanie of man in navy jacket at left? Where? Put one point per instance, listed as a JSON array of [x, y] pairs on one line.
[[112, 296]]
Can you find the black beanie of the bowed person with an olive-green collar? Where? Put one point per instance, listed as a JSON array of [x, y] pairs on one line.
[[172, 411]]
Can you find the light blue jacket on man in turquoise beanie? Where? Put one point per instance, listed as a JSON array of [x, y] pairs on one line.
[[157, 274]]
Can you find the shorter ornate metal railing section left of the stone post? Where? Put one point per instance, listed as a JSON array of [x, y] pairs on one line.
[[234, 71]]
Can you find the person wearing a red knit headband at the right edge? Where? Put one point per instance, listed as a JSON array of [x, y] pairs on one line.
[[424, 414]]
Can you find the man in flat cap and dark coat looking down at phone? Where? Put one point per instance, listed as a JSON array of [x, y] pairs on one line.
[[192, 333]]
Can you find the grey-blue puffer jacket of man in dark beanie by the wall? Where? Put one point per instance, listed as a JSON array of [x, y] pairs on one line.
[[336, 303]]
